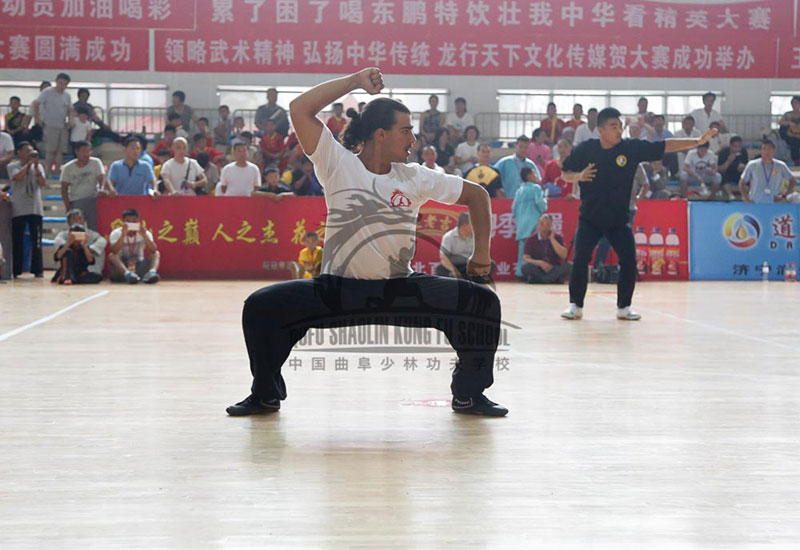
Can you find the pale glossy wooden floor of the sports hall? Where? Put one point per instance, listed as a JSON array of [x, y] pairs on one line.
[[681, 431]]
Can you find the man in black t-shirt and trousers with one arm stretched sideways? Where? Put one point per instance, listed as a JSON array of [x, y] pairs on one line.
[[605, 169]]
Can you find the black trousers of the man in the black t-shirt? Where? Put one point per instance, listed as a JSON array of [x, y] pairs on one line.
[[586, 238]]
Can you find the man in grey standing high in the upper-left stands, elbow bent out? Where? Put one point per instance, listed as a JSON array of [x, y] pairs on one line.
[[51, 111]]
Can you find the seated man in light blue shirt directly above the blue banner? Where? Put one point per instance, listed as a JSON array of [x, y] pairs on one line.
[[762, 178]]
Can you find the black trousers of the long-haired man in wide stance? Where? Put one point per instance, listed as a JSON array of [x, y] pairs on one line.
[[275, 318]]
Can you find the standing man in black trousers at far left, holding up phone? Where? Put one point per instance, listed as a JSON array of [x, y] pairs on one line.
[[27, 180]]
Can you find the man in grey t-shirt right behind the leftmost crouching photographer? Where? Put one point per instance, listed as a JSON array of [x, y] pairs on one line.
[[81, 181]]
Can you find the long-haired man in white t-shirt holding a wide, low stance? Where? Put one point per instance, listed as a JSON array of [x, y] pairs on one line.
[[373, 202]]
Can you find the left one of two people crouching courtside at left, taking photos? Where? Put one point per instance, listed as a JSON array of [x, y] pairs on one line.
[[80, 252]]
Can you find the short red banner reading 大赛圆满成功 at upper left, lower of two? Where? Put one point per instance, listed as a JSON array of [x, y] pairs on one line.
[[59, 48]]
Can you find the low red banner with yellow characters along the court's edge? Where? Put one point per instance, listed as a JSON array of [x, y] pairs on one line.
[[210, 237]]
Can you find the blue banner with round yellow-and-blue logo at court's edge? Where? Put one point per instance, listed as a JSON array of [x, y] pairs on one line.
[[733, 240]]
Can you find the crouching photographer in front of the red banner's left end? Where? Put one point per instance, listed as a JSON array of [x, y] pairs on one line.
[[127, 254]]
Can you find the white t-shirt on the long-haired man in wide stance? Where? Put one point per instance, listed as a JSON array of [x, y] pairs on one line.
[[371, 224]]
